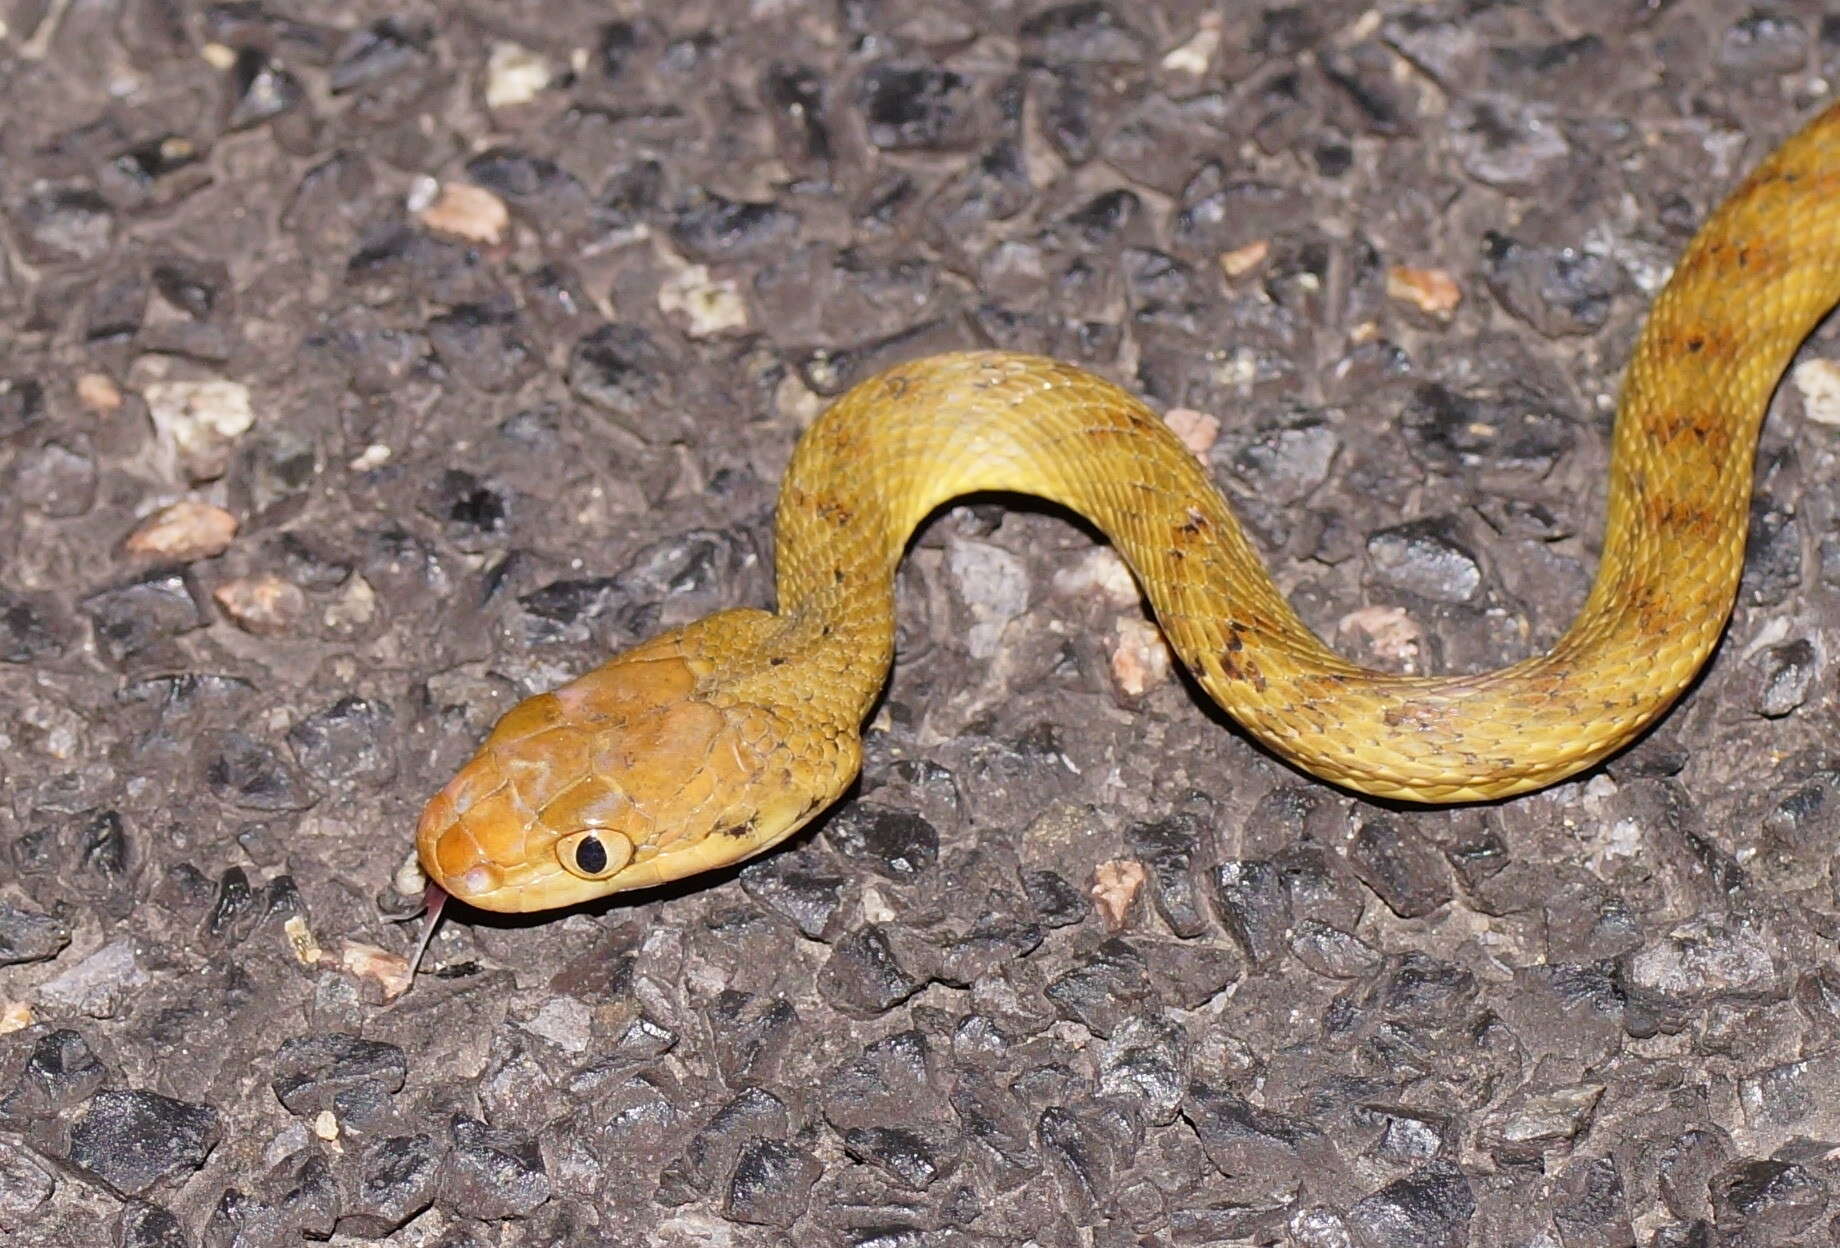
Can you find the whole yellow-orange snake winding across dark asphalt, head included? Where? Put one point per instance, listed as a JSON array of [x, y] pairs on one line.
[[713, 743]]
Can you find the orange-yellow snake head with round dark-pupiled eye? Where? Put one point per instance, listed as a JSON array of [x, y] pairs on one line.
[[627, 778]]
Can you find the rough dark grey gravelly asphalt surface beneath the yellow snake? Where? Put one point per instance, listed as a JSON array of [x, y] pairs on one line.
[[468, 456]]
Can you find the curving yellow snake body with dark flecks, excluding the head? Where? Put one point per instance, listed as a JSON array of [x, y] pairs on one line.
[[1754, 283]]
